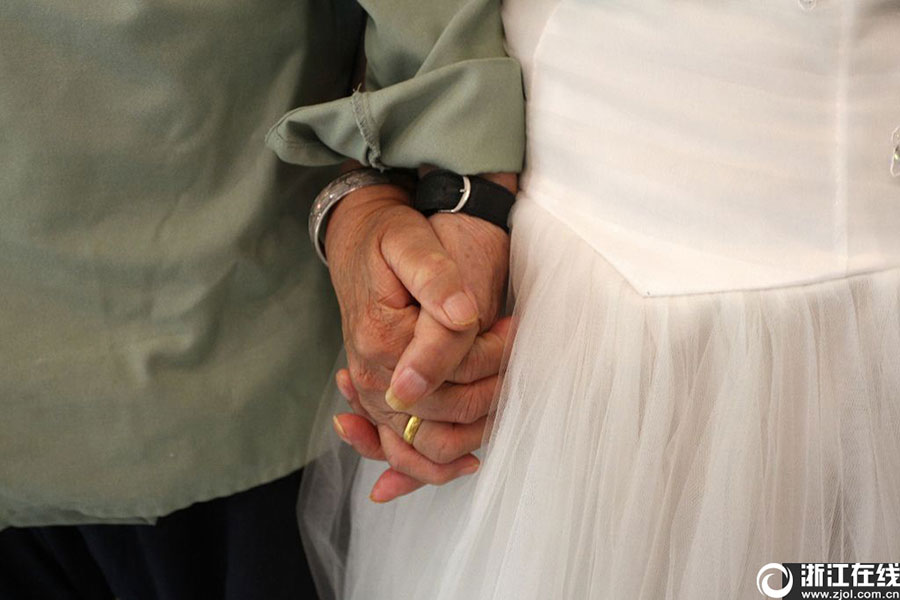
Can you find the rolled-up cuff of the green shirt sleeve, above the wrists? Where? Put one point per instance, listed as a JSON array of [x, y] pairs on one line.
[[467, 117]]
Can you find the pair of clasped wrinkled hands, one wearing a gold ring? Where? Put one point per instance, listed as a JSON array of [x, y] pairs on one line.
[[420, 299]]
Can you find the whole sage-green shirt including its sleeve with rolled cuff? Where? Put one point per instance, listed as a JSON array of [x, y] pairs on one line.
[[165, 328]]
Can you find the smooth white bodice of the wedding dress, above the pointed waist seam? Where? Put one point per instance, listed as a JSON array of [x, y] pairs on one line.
[[705, 146]]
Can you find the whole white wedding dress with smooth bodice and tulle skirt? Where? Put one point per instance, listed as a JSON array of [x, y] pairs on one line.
[[705, 375]]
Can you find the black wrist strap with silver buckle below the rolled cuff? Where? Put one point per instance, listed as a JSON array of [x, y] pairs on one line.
[[446, 191]]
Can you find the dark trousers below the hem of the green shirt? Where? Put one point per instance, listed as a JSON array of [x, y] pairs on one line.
[[241, 547]]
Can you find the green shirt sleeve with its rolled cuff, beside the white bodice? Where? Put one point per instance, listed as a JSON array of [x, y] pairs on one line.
[[440, 90]]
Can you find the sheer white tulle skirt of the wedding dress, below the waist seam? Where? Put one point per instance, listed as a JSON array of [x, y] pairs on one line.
[[642, 448]]
